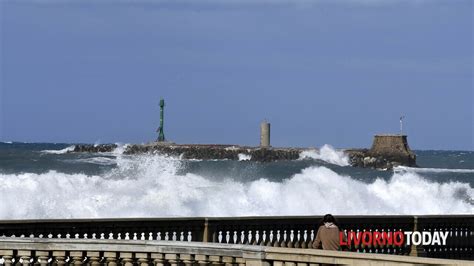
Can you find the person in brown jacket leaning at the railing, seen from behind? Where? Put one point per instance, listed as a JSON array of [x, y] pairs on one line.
[[327, 236]]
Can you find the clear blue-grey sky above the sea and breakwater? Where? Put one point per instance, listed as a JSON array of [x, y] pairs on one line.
[[321, 72]]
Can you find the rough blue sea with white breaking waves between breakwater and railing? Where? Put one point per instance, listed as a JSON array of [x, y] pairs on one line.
[[45, 180]]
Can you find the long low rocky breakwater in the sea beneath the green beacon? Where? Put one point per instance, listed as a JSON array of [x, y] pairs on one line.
[[377, 157]]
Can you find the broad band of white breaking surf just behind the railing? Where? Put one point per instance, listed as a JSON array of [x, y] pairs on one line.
[[150, 186]]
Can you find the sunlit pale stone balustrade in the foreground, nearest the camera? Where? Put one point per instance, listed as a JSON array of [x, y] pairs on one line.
[[40, 251]]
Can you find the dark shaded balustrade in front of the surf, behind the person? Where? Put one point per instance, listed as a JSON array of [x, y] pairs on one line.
[[291, 232]]
